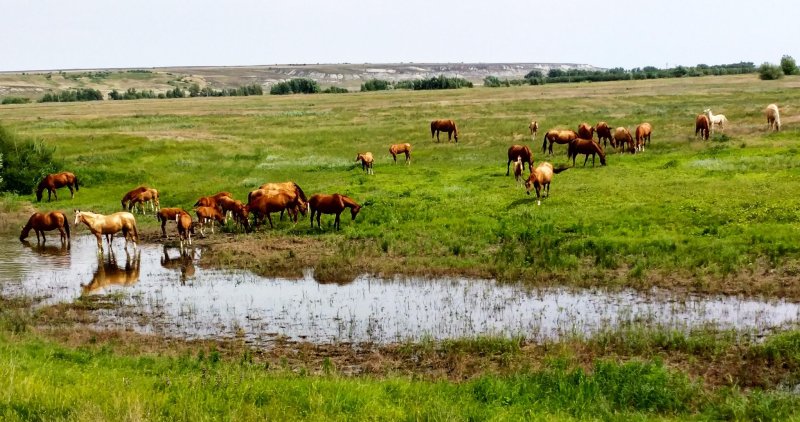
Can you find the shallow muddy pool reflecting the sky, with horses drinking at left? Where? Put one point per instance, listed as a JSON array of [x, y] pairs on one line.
[[164, 292]]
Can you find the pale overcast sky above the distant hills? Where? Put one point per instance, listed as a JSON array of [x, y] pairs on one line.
[[88, 34]]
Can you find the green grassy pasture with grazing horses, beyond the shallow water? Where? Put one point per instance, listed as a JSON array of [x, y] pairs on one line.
[[706, 216]]
